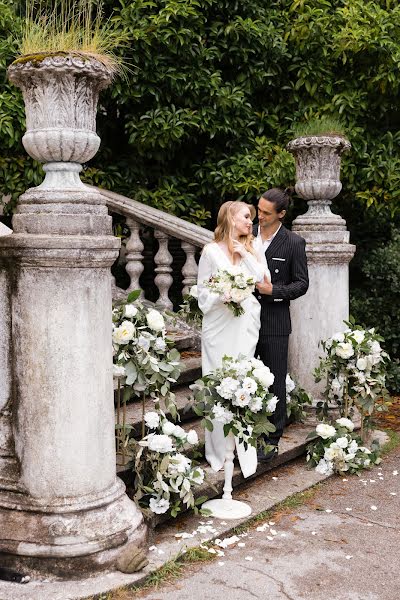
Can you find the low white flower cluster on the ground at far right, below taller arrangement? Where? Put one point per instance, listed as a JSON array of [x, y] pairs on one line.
[[338, 449]]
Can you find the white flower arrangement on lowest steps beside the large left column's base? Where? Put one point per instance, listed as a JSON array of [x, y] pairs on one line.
[[165, 479]]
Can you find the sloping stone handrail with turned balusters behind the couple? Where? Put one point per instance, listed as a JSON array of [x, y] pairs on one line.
[[165, 226]]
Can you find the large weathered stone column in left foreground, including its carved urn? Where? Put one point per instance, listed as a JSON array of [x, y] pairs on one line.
[[67, 512]]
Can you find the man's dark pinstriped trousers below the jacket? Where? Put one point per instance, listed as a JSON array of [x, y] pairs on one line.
[[273, 351]]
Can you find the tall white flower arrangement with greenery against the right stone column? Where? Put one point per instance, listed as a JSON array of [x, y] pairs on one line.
[[354, 368]]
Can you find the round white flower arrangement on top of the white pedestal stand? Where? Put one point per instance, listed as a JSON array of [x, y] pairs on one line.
[[237, 395]]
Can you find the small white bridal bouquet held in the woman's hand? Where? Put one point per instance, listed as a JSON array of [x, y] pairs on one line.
[[233, 286]]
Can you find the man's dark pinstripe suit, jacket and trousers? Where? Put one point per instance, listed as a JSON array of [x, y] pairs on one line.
[[287, 262]]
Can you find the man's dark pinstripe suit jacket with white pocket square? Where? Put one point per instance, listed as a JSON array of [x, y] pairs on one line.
[[287, 261]]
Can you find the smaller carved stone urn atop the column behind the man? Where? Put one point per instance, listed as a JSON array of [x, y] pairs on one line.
[[318, 175]]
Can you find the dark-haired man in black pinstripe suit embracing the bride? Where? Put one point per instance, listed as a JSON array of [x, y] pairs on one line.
[[287, 262]]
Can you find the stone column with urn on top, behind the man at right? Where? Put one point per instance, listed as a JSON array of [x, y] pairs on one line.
[[321, 312]]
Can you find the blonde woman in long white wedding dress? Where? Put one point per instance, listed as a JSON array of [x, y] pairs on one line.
[[222, 332]]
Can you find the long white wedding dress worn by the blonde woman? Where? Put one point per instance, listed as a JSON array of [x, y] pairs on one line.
[[225, 334]]
